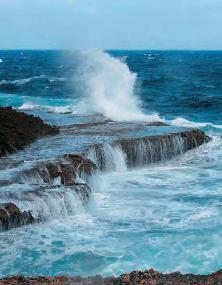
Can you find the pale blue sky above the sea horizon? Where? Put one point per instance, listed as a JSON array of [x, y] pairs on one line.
[[111, 24]]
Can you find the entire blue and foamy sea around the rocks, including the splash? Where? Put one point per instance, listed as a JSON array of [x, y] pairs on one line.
[[167, 215]]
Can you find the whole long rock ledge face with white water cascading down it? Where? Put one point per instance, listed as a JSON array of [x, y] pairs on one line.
[[67, 176]]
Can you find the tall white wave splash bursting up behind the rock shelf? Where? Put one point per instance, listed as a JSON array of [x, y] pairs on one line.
[[108, 86]]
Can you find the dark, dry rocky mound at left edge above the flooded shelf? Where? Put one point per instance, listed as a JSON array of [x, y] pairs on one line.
[[18, 129]]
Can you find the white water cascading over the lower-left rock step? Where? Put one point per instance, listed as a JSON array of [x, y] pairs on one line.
[[45, 203]]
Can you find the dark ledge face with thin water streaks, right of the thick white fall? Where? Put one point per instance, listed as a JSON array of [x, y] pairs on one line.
[[151, 149]]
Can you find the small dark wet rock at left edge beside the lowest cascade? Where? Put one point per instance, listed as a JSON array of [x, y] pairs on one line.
[[11, 217]]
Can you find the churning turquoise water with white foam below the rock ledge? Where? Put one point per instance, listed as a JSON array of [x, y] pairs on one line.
[[166, 216]]
